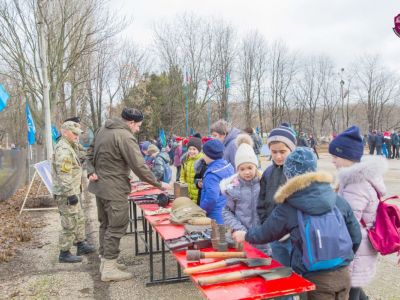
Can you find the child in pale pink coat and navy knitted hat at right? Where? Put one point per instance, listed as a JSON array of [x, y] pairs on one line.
[[360, 183]]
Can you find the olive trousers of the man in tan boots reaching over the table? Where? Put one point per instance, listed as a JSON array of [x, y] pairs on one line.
[[113, 217]]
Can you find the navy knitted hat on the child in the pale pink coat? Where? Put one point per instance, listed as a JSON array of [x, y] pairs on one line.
[[348, 144]]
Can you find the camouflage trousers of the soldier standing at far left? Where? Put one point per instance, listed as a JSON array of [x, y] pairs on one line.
[[72, 223]]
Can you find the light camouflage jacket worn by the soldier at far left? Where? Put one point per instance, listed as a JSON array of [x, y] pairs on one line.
[[66, 169]]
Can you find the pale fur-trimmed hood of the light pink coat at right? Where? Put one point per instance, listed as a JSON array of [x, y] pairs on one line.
[[370, 169]]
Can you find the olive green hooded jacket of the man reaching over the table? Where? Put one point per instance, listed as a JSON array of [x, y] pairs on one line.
[[112, 155]]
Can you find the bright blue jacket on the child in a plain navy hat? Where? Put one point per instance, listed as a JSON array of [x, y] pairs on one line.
[[212, 200]]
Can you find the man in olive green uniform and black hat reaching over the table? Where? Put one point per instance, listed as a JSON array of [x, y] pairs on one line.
[[110, 159]]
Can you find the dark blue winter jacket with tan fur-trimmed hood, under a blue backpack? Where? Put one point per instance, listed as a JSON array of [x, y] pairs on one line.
[[312, 194]]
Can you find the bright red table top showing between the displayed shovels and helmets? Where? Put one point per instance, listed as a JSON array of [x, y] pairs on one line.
[[253, 288]]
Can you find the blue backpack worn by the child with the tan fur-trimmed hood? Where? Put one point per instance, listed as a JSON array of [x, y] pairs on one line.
[[326, 241]]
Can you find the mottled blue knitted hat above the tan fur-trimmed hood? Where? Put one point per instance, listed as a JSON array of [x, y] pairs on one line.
[[301, 160]]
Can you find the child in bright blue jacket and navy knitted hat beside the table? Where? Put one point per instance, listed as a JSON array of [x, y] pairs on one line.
[[212, 200]]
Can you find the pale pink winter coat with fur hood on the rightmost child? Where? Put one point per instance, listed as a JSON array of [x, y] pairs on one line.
[[359, 185]]
